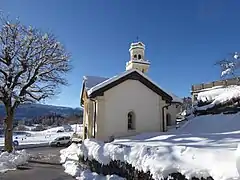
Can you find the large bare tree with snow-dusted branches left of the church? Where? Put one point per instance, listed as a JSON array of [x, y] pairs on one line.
[[32, 66]]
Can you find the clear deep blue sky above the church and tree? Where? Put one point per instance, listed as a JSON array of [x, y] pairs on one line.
[[183, 38]]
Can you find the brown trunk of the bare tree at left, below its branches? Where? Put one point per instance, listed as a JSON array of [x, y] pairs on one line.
[[9, 130]]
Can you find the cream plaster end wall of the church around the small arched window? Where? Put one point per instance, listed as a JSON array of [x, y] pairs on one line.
[[130, 95]]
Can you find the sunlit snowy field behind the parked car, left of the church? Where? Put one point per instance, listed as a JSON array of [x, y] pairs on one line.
[[41, 137]]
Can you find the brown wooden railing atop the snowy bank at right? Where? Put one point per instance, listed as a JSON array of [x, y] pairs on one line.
[[197, 88]]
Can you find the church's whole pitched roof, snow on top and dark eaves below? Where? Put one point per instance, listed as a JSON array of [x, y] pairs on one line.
[[95, 86]]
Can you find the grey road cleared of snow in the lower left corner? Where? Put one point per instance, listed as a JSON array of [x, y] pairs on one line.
[[37, 171]]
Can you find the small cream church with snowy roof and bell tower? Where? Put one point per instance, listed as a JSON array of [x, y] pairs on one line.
[[128, 103]]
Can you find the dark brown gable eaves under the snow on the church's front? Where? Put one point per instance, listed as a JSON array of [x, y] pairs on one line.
[[133, 76]]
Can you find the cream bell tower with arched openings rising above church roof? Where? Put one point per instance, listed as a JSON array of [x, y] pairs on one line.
[[137, 58]]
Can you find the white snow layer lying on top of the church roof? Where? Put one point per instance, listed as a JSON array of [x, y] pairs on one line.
[[94, 83]]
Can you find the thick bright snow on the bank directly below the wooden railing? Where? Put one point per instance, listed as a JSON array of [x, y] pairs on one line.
[[218, 95]]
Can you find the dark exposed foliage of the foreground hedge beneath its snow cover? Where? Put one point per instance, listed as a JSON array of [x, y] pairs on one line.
[[127, 171]]
